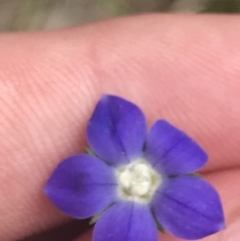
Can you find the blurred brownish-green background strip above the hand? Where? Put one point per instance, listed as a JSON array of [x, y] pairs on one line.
[[29, 15]]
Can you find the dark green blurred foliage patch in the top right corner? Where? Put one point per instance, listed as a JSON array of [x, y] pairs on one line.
[[222, 6]]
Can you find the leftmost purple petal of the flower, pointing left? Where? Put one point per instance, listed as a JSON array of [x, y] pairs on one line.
[[82, 186]]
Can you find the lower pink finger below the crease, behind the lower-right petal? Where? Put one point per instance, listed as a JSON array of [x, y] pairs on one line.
[[229, 195]]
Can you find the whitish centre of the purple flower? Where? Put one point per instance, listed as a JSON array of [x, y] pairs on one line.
[[137, 181]]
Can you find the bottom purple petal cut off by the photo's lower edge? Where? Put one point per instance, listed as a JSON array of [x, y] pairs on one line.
[[126, 221]]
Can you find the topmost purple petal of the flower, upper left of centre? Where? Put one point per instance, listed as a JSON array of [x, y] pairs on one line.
[[116, 130]]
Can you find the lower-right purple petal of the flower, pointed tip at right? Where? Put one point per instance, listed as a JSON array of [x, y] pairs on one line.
[[188, 207]]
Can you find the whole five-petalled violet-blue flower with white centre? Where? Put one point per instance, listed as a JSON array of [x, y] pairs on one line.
[[136, 179]]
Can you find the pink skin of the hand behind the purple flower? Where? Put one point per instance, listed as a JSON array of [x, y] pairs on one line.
[[181, 68]]
